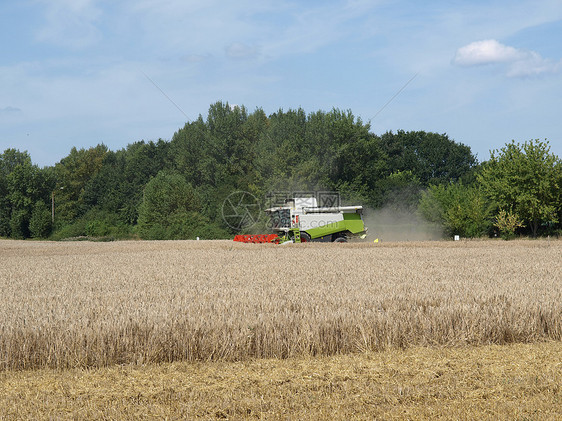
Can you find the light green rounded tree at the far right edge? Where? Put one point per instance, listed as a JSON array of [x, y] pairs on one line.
[[525, 179]]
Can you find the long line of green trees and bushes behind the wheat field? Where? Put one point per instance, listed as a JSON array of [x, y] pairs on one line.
[[175, 189]]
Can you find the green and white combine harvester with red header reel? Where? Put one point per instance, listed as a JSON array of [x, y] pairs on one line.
[[301, 221]]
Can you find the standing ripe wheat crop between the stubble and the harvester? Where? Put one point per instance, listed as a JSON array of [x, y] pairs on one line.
[[70, 305]]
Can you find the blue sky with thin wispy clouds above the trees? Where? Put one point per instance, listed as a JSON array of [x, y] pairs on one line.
[[77, 73]]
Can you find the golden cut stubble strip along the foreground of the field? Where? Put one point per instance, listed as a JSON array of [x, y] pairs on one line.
[[517, 382]]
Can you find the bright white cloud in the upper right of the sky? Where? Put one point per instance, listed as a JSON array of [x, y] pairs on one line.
[[520, 63]]
